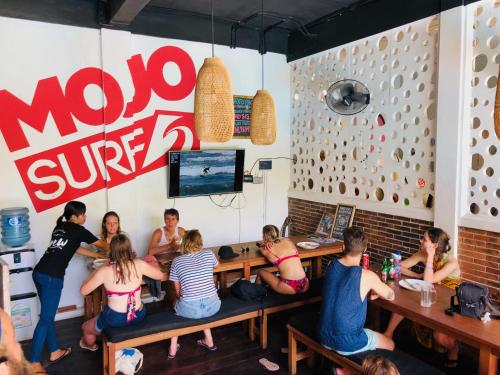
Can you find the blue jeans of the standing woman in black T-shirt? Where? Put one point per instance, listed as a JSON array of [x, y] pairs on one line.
[[49, 291]]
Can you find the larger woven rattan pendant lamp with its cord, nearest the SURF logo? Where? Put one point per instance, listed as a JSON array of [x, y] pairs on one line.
[[213, 99]]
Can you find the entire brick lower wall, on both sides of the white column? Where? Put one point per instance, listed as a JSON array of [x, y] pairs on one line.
[[478, 250]]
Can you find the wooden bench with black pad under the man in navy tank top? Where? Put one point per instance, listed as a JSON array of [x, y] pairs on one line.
[[302, 328]]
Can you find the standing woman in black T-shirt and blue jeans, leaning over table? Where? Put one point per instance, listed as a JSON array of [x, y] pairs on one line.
[[48, 276]]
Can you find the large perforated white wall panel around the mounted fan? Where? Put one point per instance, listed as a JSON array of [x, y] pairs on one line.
[[386, 153]]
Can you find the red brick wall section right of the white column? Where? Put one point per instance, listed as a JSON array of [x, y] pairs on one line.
[[479, 257]]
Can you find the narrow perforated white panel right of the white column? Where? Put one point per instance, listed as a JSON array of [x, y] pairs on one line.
[[483, 155]]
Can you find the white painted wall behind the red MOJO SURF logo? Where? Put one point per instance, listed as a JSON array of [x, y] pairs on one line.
[[34, 51]]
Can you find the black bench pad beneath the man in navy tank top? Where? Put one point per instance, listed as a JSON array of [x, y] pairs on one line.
[[307, 324]]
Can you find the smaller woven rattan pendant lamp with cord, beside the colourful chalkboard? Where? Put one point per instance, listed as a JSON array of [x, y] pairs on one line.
[[263, 116]]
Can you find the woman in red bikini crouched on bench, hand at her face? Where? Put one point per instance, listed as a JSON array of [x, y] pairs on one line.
[[283, 254]]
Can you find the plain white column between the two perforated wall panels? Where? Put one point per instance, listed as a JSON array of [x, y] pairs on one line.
[[452, 112]]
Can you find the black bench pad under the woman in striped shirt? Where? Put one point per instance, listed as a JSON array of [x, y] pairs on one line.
[[168, 320]]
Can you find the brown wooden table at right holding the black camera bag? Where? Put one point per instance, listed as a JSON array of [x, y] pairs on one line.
[[485, 336]]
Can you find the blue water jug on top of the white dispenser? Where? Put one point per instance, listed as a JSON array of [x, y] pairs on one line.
[[15, 226]]
